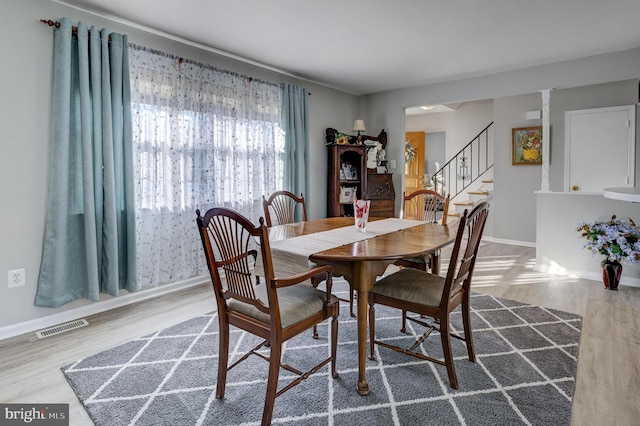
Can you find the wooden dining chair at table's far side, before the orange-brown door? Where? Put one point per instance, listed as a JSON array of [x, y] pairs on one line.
[[425, 205]]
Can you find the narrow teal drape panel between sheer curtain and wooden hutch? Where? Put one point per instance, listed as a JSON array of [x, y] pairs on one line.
[[295, 122]]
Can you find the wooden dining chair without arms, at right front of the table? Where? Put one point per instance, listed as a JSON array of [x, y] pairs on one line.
[[431, 295]]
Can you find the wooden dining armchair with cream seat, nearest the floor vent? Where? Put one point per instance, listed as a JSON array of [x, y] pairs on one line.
[[275, 311]]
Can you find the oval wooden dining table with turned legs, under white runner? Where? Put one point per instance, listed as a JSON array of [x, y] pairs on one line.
[[360, 262]]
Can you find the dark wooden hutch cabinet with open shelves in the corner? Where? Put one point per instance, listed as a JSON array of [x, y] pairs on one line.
[[349, 179]]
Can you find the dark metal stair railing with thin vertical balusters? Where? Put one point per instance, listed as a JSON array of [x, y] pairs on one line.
[[465, 167]]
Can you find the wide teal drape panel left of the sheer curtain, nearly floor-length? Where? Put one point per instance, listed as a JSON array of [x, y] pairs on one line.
[[89, 241]]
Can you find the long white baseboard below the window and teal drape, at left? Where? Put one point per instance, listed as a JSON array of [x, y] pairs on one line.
[[98, 307]]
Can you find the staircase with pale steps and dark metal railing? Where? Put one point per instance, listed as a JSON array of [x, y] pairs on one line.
[[468, 177]]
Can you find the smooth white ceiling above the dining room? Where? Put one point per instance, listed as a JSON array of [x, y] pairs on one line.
[[368, 46]]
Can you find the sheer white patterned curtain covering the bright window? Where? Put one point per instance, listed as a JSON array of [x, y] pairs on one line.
[[203, 137]]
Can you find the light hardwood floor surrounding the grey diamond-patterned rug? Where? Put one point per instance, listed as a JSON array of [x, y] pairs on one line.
[[607, 383]]
